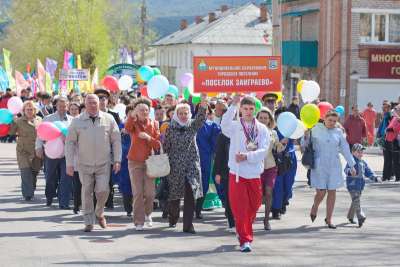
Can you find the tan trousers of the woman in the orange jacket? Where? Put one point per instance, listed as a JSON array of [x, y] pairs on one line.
[[143, 190]]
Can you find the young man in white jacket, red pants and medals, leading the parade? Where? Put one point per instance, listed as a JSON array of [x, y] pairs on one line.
[[249, 142]]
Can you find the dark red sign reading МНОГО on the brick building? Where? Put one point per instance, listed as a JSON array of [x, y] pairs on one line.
[[384, 63]]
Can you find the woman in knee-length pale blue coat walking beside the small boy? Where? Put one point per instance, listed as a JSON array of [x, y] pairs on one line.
[[328, 142]]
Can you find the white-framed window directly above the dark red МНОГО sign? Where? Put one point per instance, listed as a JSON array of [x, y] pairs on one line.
[[379, 28]]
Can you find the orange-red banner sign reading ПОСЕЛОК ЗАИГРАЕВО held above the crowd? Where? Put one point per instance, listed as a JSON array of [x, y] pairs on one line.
[[237, 74]]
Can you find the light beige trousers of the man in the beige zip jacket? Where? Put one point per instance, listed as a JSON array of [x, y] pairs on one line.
[[94, 179]]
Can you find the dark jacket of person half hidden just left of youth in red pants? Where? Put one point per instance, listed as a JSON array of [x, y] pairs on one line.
[[222, 156]]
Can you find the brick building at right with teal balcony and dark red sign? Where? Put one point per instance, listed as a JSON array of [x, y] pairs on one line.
[[355, 46]]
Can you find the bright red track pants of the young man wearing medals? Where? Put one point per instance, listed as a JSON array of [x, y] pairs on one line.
[[245, 198]]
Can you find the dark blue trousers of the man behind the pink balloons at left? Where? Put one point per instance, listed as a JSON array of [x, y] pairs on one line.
[[58, 183]]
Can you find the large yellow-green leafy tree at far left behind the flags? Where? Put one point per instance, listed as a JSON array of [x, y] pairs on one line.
[[42, 28]]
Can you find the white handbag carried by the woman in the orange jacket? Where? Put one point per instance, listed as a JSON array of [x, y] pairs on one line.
[[157, 165]]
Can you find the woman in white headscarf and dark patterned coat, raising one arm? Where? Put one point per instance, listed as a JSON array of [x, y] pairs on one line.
[[184, 181]]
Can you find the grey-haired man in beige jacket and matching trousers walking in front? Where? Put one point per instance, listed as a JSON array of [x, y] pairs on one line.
[[93, 134]]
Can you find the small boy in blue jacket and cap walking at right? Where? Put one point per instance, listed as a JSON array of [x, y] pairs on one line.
[[355, 184]]
